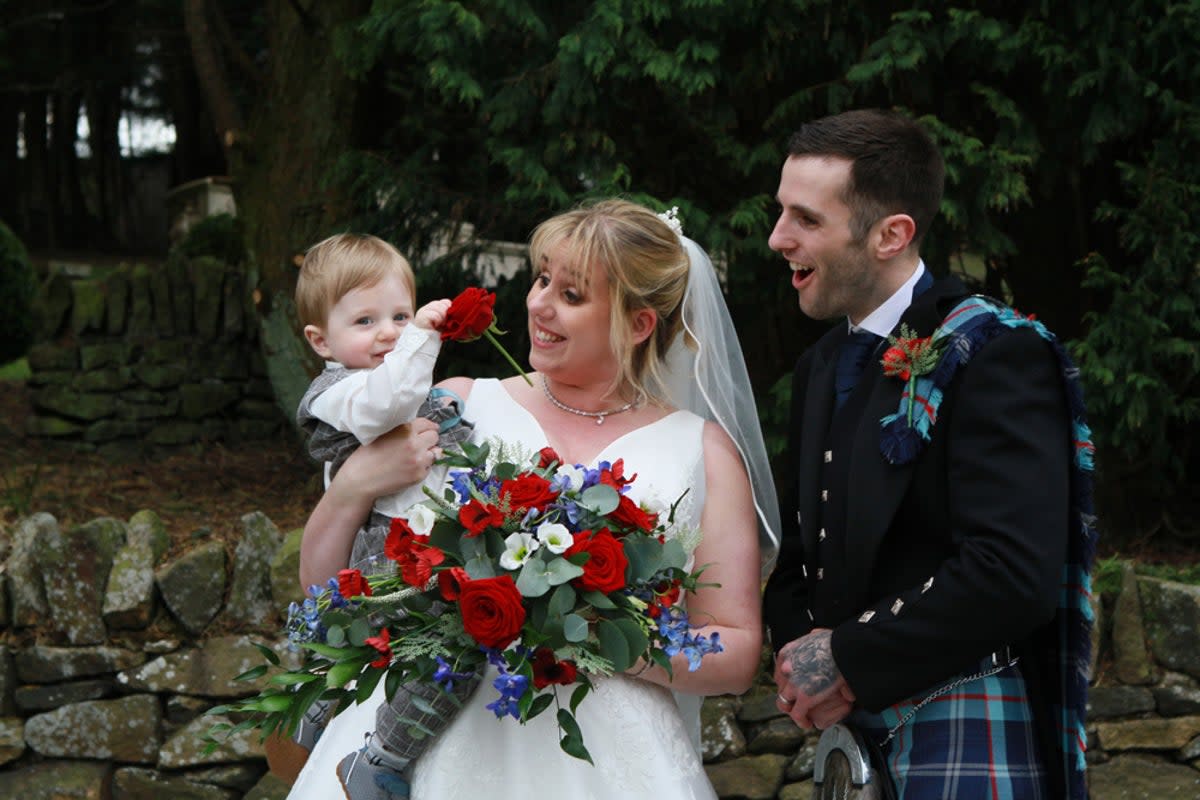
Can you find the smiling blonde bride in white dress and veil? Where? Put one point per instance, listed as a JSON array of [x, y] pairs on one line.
[[635, 359]]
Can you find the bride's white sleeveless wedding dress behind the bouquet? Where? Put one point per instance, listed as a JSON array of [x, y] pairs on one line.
[[644, 739]]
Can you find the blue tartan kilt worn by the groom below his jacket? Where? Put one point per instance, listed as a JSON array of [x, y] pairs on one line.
[[976, 742]]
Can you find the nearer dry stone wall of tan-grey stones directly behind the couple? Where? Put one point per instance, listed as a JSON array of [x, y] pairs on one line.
[[112, 649]]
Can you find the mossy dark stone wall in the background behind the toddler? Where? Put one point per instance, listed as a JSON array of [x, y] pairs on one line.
[[165, 354]]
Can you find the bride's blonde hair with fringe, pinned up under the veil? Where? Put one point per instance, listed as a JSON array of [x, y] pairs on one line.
[[647, 268]]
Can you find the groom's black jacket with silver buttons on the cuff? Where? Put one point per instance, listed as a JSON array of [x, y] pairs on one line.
[[925, 569]]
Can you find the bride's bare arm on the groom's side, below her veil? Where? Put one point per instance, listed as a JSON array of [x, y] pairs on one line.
[[730, 545]]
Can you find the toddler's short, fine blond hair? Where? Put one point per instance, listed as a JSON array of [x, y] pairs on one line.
[[341, 264]]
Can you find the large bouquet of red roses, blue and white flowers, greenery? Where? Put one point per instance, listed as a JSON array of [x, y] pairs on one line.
[[549, 573]]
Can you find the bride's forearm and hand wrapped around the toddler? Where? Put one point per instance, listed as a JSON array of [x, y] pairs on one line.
[[388, 465]]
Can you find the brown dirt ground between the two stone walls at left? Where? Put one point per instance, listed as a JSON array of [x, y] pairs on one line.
[[202, 486]]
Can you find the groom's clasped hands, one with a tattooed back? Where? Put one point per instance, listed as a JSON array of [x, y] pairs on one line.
[[812, 690]]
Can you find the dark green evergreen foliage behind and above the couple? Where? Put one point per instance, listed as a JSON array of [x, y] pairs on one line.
[[1064, 125]]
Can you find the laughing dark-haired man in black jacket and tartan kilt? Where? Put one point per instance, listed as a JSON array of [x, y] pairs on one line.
[[917, 596]]
